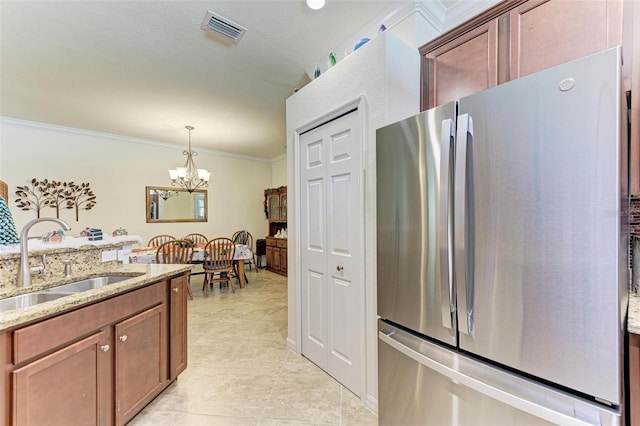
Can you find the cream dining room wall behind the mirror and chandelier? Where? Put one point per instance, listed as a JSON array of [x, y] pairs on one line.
[[118, 170]]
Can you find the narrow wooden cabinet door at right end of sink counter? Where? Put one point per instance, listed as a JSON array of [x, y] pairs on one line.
[[178, 326]]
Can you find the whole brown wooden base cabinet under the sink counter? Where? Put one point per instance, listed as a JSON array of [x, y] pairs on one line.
[[99, 364]]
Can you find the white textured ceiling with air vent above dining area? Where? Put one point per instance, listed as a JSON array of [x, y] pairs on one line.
[[145, 69]]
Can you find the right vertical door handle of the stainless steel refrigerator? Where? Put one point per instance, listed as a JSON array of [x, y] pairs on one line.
[[463, 264]]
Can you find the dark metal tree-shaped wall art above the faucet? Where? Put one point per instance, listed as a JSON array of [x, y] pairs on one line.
[[55, 194]]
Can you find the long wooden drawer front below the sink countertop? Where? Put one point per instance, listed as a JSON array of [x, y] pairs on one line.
[[35, 339]]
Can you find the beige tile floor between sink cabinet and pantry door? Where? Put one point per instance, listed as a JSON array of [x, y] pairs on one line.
[[241, 372]]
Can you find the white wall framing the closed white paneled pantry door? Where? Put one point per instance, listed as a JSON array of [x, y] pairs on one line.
[[385, 73]]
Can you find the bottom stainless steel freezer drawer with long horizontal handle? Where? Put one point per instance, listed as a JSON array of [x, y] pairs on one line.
[[421, 383]]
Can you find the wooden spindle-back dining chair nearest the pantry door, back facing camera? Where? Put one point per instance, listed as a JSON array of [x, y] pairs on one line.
[[218, 259]]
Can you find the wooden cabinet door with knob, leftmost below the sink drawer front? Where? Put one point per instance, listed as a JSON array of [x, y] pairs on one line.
[[79, 374]]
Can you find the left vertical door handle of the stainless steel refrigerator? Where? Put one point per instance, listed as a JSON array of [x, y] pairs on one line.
[[447, 134]]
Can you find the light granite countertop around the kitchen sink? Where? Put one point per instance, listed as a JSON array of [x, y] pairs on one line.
[[141, 274]]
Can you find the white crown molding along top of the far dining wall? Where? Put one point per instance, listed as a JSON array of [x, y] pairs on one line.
[[120, 138]]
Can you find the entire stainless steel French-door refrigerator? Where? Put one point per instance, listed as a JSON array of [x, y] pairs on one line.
[[502, 254]]
